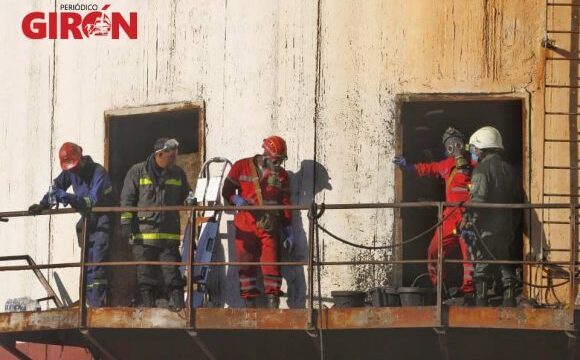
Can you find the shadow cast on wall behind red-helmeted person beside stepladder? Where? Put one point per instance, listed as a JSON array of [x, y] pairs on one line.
[[302, 194]]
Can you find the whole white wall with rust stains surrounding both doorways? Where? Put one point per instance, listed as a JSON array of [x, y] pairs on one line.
[[324, 73]]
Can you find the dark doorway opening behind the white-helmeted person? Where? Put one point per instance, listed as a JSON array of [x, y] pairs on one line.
[[423, 121]]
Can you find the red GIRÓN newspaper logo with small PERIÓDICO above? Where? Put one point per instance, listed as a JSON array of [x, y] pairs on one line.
[[67, 25]]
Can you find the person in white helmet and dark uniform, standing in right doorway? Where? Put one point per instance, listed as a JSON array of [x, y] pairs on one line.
[[491, 231]]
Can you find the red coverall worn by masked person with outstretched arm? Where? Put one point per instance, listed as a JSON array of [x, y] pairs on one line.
[[456, 190]]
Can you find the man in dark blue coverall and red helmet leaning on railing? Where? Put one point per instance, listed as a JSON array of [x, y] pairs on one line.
[[91, 187]]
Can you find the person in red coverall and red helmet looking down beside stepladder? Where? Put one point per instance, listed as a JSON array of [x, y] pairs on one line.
[[261, 180]]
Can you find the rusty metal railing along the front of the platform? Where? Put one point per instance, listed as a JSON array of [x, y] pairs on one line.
[[313, 261]]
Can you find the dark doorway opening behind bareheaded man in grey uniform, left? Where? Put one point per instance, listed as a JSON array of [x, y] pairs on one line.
[[130, 135]]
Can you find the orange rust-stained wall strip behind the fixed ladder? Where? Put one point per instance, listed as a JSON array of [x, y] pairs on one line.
[[561, 152]]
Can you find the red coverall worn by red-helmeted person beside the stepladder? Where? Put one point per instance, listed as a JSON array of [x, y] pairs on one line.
[[254, 243]]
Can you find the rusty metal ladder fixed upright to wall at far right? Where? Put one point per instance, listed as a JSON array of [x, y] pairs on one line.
[[560, 15]]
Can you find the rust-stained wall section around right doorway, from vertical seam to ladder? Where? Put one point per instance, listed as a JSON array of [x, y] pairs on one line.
[[369, 55]]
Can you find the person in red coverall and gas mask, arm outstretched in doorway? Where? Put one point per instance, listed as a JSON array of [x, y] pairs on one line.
[[455, 170]]
